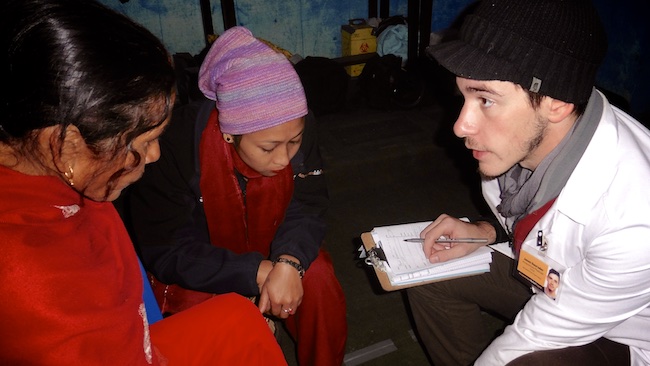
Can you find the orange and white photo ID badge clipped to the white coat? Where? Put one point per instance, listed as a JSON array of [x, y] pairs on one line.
[[537, 269]]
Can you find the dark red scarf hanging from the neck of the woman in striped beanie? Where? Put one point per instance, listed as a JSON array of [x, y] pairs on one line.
[[238, 221]]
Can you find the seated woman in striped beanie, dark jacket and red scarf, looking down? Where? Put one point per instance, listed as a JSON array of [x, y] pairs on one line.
[[236, 203]]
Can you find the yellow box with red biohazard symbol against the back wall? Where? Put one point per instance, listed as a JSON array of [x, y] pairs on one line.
[[357, 38]]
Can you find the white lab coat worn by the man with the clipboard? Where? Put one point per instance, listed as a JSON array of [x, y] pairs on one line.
[[599, 229]]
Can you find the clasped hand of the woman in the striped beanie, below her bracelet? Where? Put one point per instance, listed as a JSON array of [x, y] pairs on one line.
[[281, 292]]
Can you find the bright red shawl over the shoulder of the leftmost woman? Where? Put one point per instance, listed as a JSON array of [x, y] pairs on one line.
[[71, 288]]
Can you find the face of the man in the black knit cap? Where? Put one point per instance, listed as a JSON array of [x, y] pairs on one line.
[[499, 125]]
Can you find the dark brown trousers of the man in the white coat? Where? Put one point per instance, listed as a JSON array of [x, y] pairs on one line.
[[448, 319]]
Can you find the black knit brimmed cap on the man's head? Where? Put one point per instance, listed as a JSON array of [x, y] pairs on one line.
[[552, 47]]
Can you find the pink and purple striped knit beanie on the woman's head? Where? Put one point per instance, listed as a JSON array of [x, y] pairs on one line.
[[254, 87]]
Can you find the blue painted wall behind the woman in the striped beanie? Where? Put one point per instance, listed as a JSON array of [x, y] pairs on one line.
[[306, 27]]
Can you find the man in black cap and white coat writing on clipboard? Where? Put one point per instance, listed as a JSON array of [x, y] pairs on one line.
[[566, 176]]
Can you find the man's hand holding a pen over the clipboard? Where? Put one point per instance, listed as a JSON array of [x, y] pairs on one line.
[[451, 227]]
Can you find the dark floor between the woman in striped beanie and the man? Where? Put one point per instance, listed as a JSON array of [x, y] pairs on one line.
[[386, 167]]
